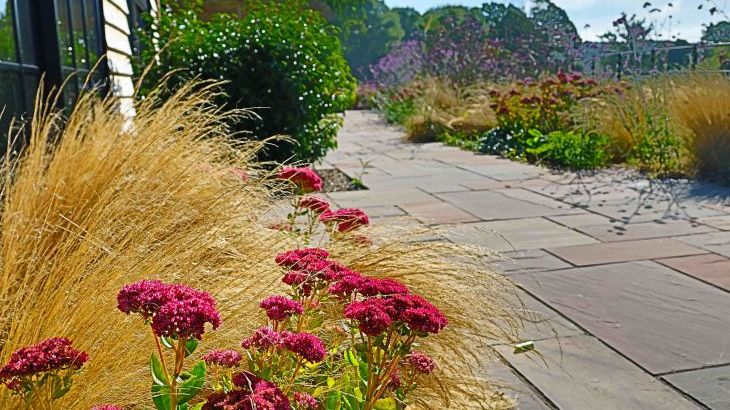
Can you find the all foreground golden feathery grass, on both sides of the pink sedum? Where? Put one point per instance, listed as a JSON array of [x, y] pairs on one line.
[[105, 201]]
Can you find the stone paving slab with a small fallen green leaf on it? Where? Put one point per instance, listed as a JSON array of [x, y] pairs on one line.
[[580, 373]]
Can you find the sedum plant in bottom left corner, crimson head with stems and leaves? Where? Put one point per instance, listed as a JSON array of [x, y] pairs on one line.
[[43, 372]]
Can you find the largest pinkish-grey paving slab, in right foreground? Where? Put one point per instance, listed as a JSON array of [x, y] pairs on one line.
[[659, 318]]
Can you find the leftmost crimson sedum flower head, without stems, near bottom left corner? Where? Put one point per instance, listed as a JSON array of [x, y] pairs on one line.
[[49, 355]]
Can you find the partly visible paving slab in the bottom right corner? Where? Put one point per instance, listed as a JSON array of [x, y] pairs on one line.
[[710, 386]]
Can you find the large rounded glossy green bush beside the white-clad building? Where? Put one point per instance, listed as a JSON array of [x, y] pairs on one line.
[[283, 61]]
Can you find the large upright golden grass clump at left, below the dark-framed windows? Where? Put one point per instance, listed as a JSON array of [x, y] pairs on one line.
[[90, 207]]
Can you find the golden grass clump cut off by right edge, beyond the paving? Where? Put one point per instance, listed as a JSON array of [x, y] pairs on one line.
[[702, 104]]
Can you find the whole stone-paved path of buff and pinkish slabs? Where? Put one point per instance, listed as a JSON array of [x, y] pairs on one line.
[[634, 275]]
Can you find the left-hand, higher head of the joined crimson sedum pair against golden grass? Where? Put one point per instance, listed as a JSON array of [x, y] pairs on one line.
[[145, 297]]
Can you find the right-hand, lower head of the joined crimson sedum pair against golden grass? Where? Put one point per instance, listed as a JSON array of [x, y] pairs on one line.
[[185, 313]]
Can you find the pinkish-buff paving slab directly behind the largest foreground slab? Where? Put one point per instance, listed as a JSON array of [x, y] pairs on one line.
[[613, 252]]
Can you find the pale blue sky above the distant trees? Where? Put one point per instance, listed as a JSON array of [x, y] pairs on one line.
[[594, 17]]
